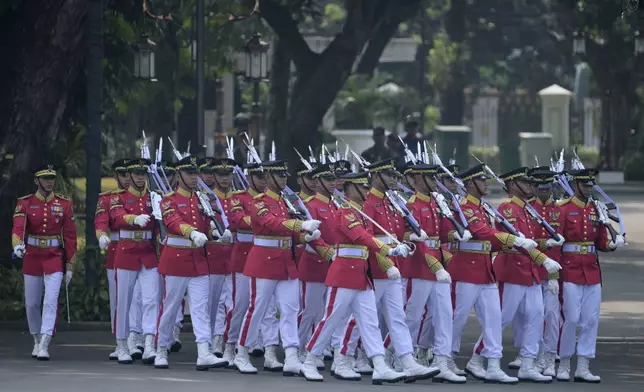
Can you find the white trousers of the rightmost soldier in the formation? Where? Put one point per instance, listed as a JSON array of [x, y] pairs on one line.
[[581, 305]]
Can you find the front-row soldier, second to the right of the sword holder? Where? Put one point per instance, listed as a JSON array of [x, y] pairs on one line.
[[428, 283]]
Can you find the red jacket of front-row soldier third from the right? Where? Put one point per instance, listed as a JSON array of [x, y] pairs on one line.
[[472, 261]]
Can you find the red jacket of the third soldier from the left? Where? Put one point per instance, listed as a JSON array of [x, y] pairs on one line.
[[136, 244]]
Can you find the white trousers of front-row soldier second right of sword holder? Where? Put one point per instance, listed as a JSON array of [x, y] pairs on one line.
[[435, 296]]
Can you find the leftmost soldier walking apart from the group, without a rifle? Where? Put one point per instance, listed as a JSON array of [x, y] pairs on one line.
[[44, 236]]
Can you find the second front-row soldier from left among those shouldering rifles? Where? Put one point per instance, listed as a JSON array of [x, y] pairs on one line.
[[184, 266]]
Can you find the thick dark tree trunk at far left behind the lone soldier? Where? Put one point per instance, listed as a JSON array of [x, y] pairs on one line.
[[43, 55]]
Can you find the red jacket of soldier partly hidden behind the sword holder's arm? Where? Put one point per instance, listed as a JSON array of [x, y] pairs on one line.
[[378, 207]]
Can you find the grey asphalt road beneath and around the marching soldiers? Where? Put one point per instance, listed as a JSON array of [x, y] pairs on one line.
[[79, 356]]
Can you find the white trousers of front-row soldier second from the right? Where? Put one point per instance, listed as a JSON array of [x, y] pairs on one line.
[[528, 300]]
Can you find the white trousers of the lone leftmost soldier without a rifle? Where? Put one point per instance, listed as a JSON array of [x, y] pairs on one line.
[[44, 322]]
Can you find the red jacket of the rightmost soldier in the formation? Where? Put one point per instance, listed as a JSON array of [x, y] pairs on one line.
[[582, 230]]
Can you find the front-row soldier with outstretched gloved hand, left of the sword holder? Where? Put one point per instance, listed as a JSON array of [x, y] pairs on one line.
[[272, 270]]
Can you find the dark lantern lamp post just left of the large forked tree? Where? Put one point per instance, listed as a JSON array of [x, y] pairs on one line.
[[256, 70]]
